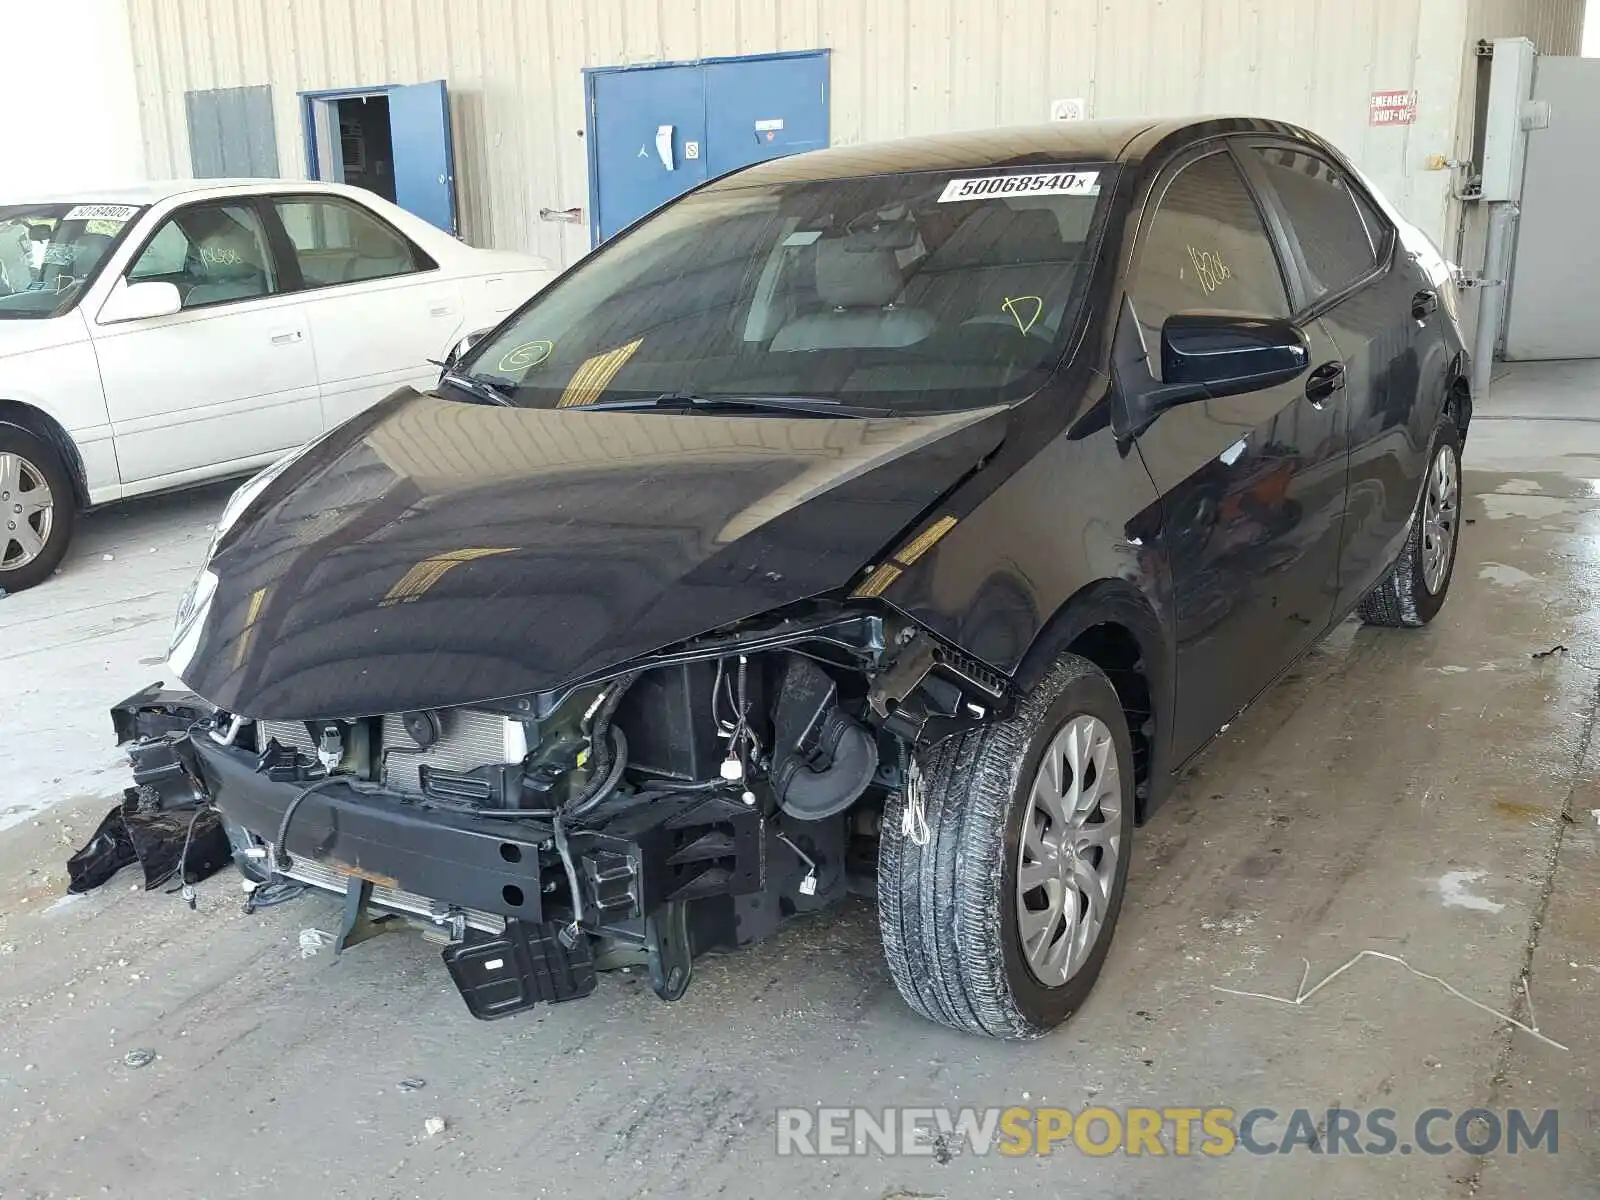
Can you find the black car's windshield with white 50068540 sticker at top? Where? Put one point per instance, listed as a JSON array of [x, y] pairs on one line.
[[911, 294]]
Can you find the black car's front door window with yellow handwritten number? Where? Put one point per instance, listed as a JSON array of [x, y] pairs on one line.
[[1206, 250]]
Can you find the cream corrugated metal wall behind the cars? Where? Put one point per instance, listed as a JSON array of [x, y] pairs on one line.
[[898, 66]]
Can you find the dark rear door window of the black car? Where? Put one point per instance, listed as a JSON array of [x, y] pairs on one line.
[[1337, 242]]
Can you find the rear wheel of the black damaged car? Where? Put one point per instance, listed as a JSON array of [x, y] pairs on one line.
[[1415, 590]]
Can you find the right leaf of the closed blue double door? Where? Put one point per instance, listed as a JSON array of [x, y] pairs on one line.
[[761, 110]]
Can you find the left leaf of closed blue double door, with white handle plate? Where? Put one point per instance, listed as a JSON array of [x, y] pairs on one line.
[[649, 142]]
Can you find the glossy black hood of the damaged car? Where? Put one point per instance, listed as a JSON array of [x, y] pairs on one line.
[[433, 553]]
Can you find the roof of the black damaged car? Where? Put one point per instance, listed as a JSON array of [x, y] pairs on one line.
[[1103, 142]]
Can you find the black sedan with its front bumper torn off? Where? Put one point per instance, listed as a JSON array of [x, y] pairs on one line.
[[889, 521]]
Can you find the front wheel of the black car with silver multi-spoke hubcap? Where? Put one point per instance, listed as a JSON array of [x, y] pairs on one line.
[[1001, 924]]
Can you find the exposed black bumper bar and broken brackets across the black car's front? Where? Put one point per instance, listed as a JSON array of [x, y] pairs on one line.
[[671, 878]]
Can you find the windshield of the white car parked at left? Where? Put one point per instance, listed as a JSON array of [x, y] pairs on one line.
[[50, 254]]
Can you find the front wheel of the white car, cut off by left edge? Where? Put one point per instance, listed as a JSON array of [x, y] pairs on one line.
[[38, 510]]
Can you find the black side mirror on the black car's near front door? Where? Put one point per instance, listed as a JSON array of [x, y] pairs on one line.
[[1218, 356]]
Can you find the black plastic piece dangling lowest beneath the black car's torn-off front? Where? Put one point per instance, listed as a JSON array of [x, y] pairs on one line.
[[500, 977]]
